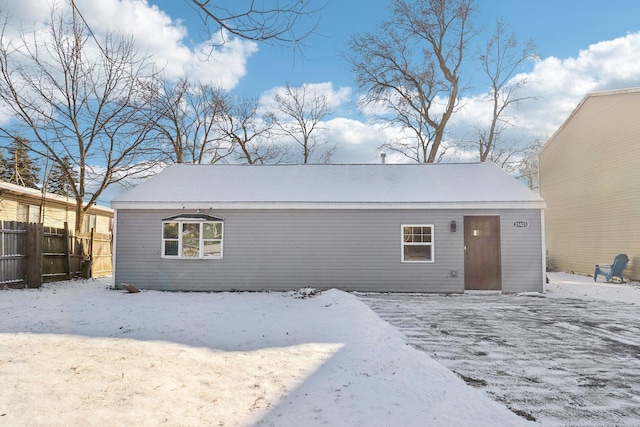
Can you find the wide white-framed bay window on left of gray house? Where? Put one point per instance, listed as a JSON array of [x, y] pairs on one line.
[[192, 237]]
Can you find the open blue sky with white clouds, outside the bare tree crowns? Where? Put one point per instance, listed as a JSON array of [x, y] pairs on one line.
[[583, 46]]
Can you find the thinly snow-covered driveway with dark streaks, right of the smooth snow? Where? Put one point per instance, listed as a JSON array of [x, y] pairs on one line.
[[569, 357]]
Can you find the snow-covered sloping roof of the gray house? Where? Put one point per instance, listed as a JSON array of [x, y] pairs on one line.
[[330, 186]]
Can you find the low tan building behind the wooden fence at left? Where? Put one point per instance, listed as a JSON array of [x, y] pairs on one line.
[[24, 204]]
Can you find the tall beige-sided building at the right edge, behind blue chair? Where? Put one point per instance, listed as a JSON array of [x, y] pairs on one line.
[[590, 178]]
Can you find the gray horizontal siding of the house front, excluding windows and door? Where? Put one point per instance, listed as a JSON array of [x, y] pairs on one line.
[[354, 250]]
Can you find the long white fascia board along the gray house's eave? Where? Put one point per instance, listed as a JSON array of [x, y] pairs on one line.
[[538, 204]]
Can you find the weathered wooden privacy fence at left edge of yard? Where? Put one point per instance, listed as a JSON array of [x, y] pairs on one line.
[[31, 254]]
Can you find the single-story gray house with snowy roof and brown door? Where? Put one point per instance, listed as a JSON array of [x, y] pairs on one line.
[[366, 227]]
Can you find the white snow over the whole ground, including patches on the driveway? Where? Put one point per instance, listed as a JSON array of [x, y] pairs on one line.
[[80, 353]]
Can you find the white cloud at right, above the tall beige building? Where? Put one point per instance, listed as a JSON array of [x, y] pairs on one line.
[[555, 86]]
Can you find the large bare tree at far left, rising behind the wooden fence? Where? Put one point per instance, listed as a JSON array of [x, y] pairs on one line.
[[75, 98]]
